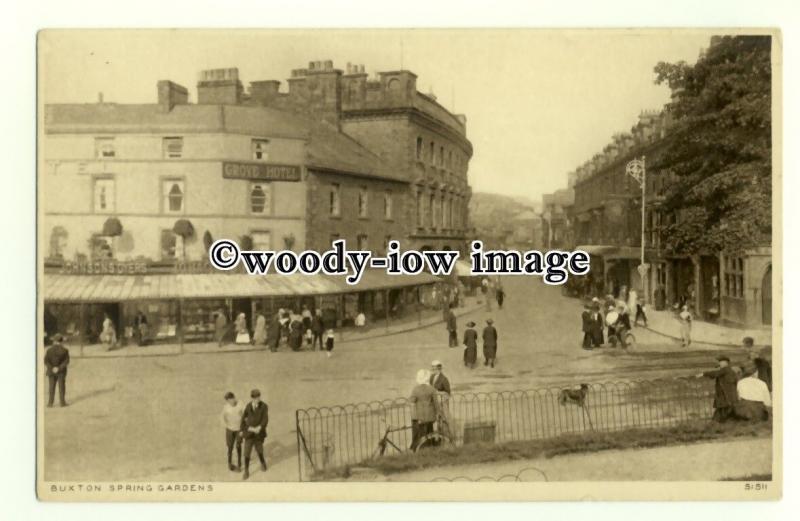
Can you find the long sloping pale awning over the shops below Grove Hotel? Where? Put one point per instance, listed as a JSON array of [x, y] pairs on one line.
[[118, 288]]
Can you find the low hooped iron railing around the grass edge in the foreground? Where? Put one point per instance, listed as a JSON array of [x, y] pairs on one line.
[[349, 434]]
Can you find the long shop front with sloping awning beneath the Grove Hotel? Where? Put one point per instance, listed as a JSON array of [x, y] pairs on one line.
[[183, 308]]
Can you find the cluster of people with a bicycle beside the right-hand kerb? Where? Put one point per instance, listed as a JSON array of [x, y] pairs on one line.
[[611, 316]]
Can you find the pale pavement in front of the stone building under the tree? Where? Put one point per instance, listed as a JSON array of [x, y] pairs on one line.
[[666, 323]]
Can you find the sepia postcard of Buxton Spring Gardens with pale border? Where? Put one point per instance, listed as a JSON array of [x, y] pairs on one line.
[[238, 292]]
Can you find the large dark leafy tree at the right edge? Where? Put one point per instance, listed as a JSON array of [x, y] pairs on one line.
[[721, 151]]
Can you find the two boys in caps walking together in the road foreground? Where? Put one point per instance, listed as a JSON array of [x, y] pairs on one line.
[[245, 424]]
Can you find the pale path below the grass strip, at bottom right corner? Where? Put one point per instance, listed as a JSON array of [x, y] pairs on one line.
[[707, 461]]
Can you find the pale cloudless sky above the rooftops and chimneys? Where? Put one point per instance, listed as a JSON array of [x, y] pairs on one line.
[[538, 103]]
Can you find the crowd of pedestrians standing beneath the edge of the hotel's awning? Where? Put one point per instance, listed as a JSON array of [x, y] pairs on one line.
[[287, 327]]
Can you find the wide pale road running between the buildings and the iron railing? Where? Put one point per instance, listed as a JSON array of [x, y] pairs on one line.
[[157, 418]]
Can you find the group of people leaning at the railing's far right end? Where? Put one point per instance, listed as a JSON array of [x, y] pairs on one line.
[[742, 392]]
